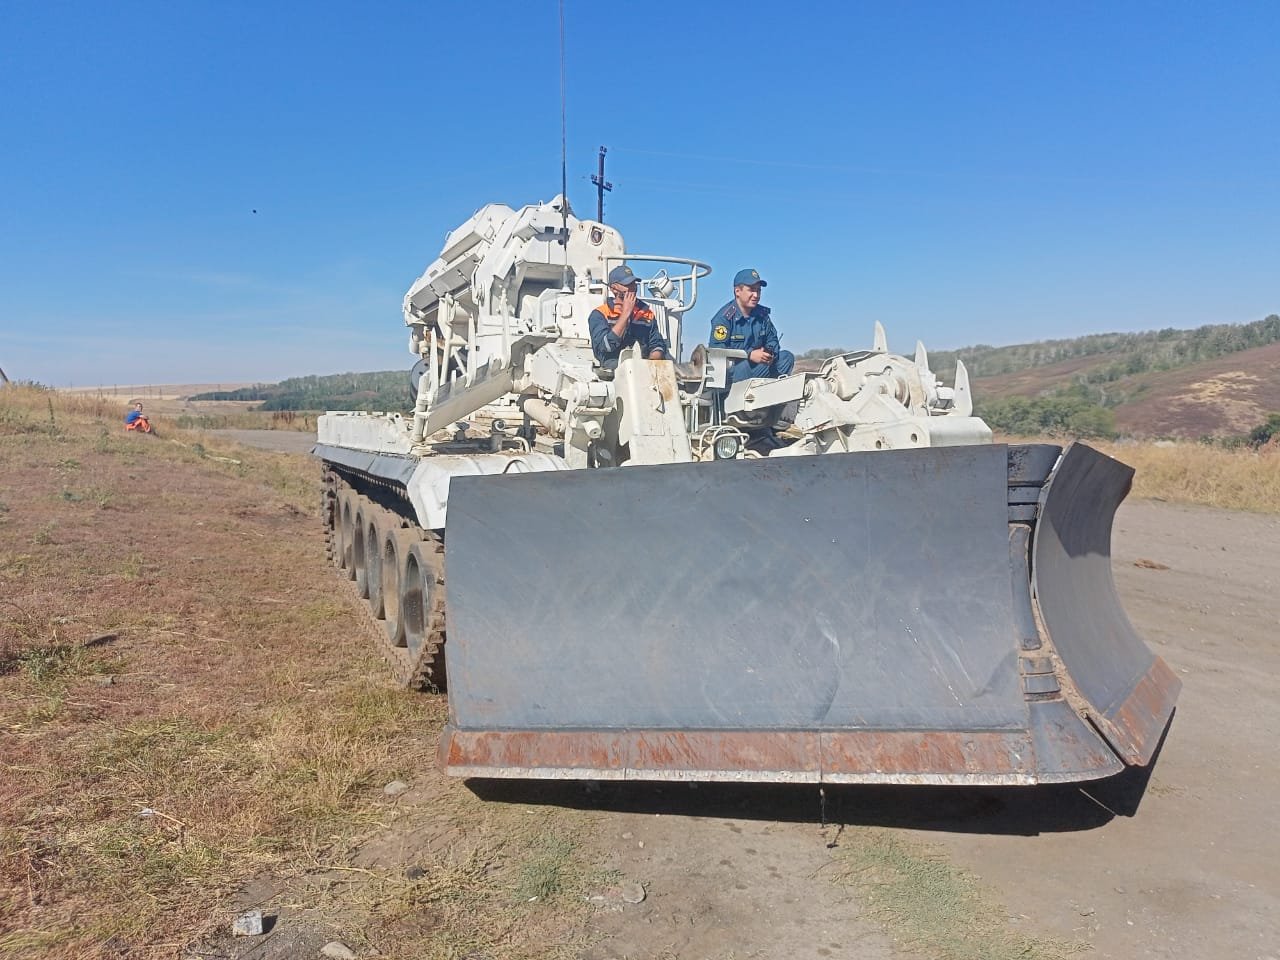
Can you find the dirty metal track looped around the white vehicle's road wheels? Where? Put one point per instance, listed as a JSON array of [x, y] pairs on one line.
[[387, 505]]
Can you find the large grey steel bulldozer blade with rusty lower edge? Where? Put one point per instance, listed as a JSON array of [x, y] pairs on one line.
[[862, 618]]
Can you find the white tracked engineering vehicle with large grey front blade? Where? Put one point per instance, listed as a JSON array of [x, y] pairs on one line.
[[641, 577]]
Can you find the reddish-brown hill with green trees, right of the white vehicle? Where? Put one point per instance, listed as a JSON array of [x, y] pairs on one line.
[[1217, 381]]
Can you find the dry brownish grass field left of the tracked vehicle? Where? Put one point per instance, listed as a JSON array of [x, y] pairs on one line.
[[188, 705]]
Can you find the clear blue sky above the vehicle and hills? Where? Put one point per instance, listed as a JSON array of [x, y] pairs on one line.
[[964, 173]]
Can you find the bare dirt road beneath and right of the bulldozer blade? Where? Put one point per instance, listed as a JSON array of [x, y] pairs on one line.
[[1187, 868]]
